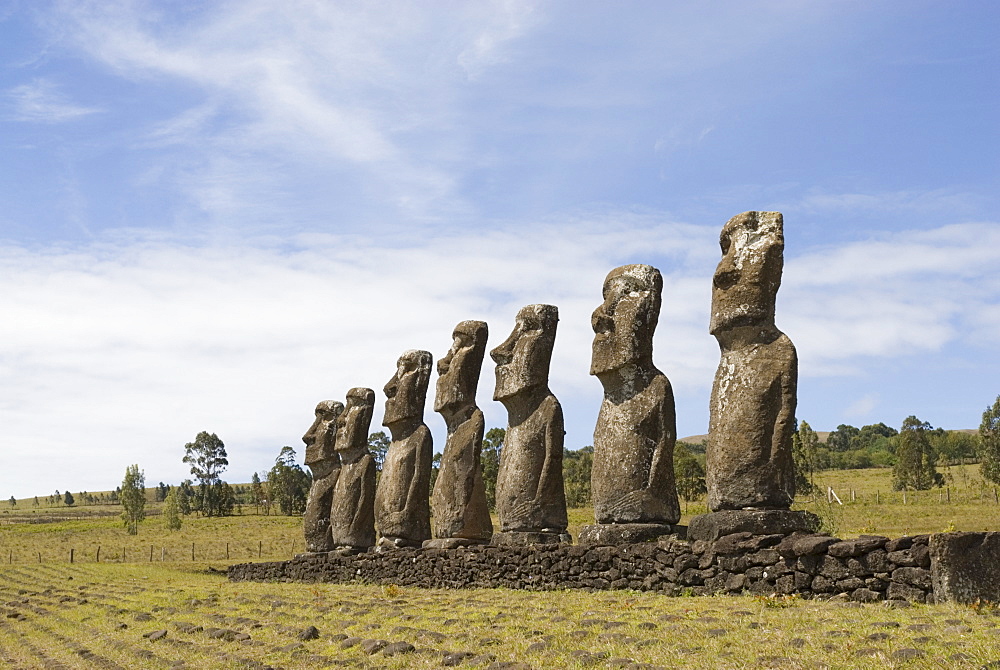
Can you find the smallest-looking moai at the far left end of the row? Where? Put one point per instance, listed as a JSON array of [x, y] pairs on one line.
[[323, 460]]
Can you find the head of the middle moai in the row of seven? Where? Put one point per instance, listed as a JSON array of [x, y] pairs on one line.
[[458, 371]]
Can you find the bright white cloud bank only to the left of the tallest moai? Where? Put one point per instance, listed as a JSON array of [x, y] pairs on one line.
[[120, 353]]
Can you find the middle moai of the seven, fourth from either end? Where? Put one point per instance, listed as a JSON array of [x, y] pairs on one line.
[[460, 513]]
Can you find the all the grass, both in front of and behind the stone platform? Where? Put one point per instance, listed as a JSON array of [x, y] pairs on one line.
[[89, 614]]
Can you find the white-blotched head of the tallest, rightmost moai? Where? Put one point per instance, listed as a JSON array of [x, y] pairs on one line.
[[746, 281]]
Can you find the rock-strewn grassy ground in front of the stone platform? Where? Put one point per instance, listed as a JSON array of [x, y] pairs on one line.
[[83, 616]]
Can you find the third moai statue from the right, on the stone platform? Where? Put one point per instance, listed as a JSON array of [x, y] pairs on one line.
[[531, 502]]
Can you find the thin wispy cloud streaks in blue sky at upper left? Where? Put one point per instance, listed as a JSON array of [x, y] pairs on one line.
[[315, 87]]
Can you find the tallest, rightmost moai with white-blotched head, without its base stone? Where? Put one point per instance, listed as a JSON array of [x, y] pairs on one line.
[[749, 456]]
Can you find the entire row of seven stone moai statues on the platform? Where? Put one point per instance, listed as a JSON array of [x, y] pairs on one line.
[[750, 475]]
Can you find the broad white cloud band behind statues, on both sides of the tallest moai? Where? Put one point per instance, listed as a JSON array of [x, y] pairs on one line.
[[123, 351]]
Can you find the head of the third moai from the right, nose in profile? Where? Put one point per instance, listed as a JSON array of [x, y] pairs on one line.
[[524, 357]]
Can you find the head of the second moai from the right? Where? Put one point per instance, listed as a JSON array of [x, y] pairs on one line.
[[625, 321]]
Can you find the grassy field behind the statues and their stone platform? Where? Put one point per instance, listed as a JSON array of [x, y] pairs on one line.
[[47, 534]]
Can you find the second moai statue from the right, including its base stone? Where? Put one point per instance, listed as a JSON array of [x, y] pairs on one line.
[[632, 482]]
